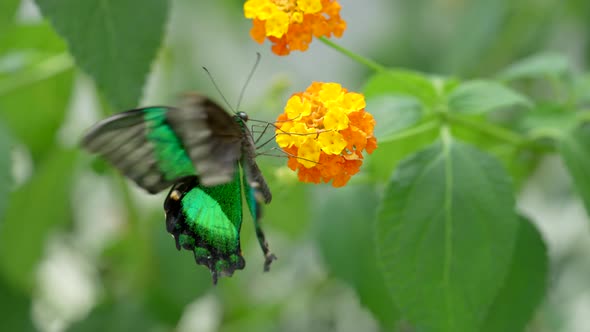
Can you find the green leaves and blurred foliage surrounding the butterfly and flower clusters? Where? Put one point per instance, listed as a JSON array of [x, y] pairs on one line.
[[426, 238]]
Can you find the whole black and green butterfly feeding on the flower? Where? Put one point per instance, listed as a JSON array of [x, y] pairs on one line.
[[195, 148]]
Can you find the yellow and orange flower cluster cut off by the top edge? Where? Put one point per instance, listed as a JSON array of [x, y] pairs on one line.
[[291, 24]]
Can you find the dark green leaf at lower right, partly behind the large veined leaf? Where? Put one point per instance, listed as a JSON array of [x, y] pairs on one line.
[[525, 285]]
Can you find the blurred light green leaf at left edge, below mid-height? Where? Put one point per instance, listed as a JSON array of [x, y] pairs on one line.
[[34, 211]]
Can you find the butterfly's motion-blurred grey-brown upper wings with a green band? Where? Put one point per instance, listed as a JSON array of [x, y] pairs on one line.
[[156, 146]]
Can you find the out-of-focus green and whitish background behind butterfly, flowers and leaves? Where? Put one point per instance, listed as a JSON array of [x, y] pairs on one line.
[[81, 247]]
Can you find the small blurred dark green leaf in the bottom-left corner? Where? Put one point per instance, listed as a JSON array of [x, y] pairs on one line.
[[16, 309]]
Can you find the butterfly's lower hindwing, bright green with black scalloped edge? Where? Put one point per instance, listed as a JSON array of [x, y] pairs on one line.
[[207, 221]]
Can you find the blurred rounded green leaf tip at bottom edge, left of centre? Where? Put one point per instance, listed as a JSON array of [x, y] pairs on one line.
[[120, 317]]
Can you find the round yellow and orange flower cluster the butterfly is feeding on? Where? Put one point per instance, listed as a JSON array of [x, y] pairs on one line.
[[324, 131]]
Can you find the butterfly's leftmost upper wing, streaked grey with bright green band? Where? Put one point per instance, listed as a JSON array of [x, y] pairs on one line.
[[143, 146]]
